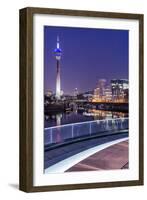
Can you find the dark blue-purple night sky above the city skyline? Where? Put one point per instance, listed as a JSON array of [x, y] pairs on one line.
[[87, 55]]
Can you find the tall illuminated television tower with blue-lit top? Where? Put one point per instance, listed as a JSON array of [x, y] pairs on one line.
[[58, 53]]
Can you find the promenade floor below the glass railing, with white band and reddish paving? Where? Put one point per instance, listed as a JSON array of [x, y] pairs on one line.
[[62, 159]]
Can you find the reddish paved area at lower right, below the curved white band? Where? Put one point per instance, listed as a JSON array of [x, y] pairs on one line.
[[114, 157]]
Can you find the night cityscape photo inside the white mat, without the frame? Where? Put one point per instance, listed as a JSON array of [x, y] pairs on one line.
[[86, 93]]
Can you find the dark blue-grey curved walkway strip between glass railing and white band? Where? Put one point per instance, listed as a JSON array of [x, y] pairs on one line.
[[56, 155]]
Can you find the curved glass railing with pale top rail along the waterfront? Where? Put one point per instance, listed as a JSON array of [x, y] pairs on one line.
[[69, 132]]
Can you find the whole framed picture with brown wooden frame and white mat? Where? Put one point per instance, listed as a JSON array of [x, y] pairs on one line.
[[81, 99]]
